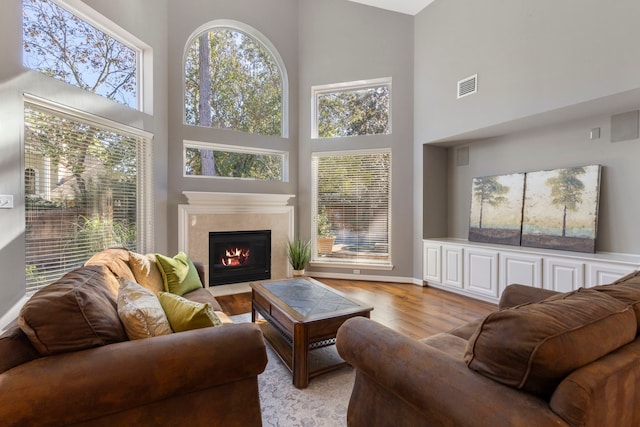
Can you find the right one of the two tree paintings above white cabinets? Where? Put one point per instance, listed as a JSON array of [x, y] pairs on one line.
[[561, 209]]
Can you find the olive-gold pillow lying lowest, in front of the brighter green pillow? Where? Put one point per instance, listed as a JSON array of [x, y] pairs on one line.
[[184, 315]]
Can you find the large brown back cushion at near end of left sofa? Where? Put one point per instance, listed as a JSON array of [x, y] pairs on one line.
[[78, 311]]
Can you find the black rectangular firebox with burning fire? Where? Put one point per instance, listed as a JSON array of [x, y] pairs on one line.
[[239, 256]]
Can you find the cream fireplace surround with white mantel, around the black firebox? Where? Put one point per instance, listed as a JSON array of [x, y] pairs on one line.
[[205, 212]]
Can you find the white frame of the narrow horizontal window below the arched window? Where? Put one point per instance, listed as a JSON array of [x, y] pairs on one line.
[[235, 149]]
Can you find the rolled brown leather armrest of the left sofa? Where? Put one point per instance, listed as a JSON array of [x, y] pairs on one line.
[[72, 387]]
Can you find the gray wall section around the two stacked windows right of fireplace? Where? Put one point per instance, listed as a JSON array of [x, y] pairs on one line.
[[341, 41]]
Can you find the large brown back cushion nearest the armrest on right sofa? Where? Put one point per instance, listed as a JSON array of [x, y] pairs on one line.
[[534, 346]]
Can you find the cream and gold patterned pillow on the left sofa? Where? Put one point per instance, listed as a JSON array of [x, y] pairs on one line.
[[140, 311]]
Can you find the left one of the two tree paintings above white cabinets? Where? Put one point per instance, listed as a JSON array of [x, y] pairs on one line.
[[496, 209]]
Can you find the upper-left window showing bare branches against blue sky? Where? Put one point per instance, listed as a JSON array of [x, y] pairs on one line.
[[63, 45]]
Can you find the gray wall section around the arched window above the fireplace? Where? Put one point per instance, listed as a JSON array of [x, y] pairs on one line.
[[276, 20]]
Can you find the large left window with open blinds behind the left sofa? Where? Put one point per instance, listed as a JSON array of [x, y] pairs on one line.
[[87, 188]]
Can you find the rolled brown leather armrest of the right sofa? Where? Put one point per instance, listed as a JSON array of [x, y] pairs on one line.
[[433, 383]]
